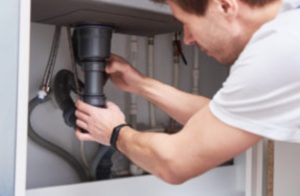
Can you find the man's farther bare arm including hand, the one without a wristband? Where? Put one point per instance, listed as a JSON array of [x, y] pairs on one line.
[[178, 104]]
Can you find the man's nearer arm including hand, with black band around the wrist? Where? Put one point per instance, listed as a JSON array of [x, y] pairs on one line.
[[203, 143]]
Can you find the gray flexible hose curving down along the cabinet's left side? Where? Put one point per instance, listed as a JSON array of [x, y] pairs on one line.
[[82, 173]]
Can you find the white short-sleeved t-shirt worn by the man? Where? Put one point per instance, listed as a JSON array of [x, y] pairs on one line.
[[262, 93]]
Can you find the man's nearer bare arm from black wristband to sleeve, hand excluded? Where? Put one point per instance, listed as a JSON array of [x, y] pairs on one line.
[[202, 144]]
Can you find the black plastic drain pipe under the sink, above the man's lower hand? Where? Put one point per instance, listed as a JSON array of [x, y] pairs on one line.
[[92, 49]]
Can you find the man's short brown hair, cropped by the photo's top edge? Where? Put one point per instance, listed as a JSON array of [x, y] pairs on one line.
[[199, 7]]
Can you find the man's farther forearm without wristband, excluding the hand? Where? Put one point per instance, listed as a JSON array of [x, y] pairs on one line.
[[178, 104]]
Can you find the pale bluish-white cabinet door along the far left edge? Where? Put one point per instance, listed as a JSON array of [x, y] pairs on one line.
[[9, 48]]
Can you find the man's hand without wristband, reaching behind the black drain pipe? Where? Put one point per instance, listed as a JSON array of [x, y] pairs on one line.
[[123, 75]]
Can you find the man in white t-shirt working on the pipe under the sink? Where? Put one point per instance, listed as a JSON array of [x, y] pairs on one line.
[[260, 98]]
